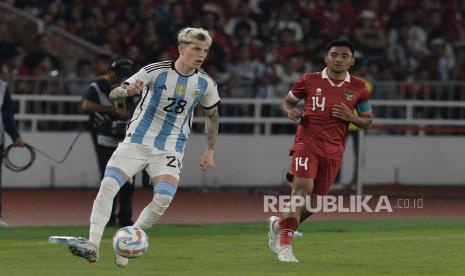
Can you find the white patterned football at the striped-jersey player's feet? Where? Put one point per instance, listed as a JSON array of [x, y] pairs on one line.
[[130, 242]]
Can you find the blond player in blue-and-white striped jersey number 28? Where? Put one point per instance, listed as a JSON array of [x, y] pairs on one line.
[[157, 134]]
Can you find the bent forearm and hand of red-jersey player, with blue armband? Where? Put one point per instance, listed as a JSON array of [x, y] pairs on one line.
[[364, 119]]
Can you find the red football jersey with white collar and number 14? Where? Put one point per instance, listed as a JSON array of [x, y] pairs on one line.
[[319, 131]]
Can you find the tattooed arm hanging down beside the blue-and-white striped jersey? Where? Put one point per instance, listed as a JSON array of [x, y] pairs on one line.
[[212, 124]]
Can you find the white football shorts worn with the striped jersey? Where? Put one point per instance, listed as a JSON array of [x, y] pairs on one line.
[[133, 158]]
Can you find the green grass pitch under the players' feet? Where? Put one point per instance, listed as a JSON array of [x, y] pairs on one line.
[[369, 247]]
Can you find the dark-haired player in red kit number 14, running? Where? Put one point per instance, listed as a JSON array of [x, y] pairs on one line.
[[330, 97]]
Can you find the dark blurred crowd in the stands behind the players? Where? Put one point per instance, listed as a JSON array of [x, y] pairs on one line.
[[260, 46]]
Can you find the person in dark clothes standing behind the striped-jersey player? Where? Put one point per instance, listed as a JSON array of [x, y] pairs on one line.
[[108, 124]]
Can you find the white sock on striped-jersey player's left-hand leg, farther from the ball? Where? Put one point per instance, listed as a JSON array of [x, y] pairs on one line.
[[101, 210]]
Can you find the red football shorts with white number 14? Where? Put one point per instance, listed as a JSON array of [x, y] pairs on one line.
[[323, 171]]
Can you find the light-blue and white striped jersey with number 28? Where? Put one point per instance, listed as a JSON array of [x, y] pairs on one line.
[[163, 116]]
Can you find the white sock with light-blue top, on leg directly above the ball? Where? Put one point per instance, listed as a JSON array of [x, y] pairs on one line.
[[164, 193]]
